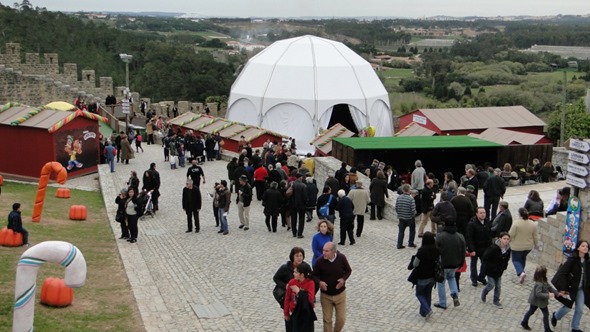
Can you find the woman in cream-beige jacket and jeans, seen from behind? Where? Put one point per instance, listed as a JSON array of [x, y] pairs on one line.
[[523, 238]]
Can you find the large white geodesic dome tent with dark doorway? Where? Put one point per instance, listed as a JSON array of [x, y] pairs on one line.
[[297, 86]]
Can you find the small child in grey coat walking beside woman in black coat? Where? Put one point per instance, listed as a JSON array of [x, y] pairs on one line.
[[539, 298]]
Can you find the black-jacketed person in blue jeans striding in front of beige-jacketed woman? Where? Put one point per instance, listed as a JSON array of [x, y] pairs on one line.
[[495, 260]]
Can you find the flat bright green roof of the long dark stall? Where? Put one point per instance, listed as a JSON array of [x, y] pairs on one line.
[[416, 142]]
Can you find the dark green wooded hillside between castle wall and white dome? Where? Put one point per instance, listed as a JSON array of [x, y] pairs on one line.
[[162, 68]]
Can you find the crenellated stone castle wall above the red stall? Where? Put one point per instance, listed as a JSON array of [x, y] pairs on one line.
[[38, 80]]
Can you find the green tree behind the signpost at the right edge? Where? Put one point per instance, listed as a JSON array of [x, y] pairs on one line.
[[577, 122]]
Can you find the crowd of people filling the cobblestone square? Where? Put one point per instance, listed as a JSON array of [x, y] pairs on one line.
[[285, 186]]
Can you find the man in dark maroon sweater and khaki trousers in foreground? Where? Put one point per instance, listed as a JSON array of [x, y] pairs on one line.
[[332, 271]]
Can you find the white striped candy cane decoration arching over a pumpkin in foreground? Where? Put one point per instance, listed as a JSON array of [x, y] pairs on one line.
[[63, 253]]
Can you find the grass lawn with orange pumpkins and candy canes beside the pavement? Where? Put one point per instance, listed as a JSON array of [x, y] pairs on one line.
[[106, 302]]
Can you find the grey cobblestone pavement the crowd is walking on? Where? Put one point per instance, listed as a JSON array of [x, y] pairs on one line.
[[175, 275]]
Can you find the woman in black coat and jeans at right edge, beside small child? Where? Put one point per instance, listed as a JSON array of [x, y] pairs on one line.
[[567, 281]]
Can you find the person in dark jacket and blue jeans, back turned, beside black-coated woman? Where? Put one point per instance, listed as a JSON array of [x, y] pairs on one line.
[[452, 255]]
